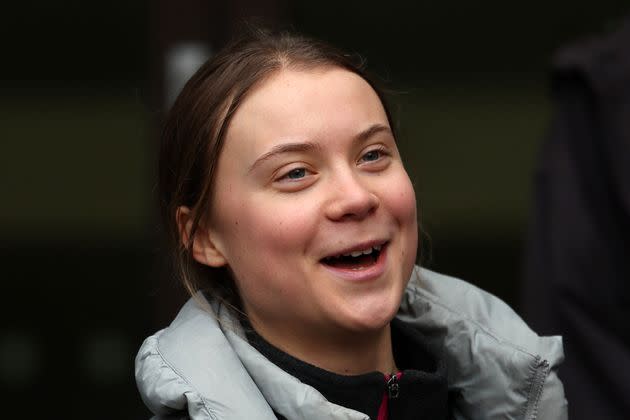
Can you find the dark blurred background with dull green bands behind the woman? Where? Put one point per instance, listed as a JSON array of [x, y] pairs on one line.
[[83, 88]]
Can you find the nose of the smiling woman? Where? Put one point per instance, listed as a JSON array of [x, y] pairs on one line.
[[351, 199]]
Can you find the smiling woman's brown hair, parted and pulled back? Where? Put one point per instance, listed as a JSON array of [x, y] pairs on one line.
[[195, 128]]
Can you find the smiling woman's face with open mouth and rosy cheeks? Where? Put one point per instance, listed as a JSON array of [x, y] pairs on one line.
[[313, 211]]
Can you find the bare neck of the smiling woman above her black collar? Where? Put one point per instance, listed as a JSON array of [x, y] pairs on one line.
[[344, 353]]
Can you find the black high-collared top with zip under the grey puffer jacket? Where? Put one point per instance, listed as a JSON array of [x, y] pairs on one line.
[[422, 388]]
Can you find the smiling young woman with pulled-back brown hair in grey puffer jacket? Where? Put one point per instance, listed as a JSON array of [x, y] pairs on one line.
[[294, 226]]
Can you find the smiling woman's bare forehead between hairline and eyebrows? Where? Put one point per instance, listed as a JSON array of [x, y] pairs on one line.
[[305, 105]]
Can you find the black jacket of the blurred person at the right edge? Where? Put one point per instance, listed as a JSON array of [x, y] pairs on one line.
[[578, 266]]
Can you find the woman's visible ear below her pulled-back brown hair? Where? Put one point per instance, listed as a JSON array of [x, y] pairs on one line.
[[204, 249]]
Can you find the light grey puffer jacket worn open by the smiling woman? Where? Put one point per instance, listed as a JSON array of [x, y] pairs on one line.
[[202, 367]]
